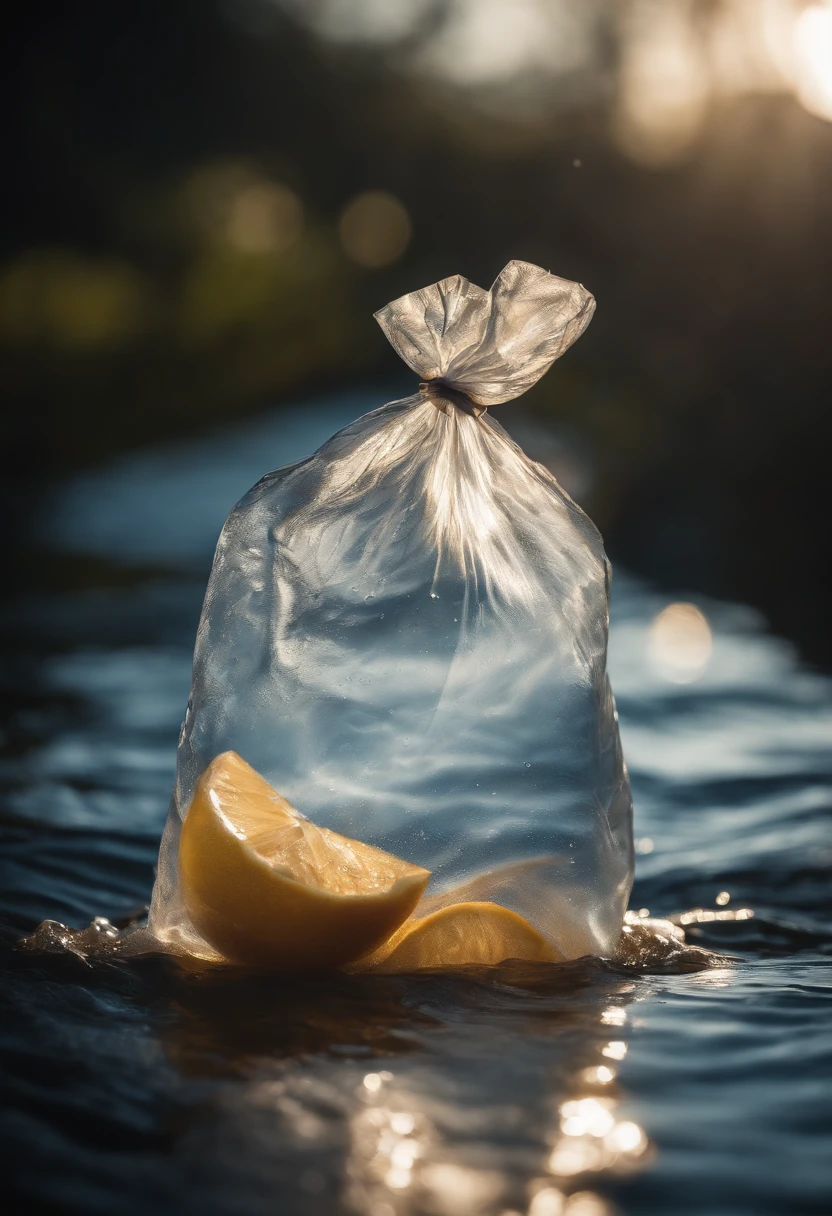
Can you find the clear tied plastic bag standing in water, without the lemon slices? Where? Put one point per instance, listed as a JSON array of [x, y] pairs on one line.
[[407, 635]]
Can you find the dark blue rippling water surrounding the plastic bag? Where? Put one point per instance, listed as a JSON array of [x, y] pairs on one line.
[[583, 1090]]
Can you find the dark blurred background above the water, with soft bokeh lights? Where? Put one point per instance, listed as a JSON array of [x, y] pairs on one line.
[[206, 201]]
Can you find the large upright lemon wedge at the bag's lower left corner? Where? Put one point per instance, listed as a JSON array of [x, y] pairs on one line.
[[266, 887]]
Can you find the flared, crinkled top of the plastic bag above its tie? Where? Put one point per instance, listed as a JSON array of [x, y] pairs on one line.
[[474, 348]]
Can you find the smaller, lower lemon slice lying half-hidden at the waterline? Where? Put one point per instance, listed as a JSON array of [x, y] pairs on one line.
[[460, 936]]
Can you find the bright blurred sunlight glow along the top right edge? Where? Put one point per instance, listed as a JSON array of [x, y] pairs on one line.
[[672, 65]]
